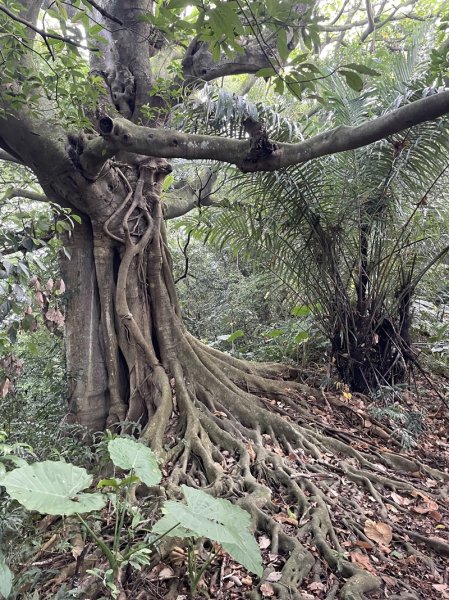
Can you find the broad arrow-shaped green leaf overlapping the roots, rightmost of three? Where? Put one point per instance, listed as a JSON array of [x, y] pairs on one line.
[[214, 518]]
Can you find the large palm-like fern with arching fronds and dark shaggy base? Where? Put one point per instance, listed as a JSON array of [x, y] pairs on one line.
[[352, 233]]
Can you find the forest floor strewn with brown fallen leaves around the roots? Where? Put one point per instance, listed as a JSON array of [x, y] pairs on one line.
[[349, 418]]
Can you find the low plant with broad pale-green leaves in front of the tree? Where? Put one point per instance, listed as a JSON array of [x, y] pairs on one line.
[[57, 488]]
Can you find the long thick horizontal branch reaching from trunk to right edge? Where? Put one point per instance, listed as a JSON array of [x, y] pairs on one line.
[[122, 135]]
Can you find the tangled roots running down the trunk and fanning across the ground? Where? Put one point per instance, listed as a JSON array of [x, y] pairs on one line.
[[244, 432]]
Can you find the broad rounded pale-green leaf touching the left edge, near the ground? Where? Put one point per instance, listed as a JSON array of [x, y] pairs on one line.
[[52, 488]]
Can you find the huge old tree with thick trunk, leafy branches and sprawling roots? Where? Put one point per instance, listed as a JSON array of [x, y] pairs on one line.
[[129, 354]]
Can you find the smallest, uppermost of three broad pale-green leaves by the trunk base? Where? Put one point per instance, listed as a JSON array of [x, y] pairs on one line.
[[128, 454]]
